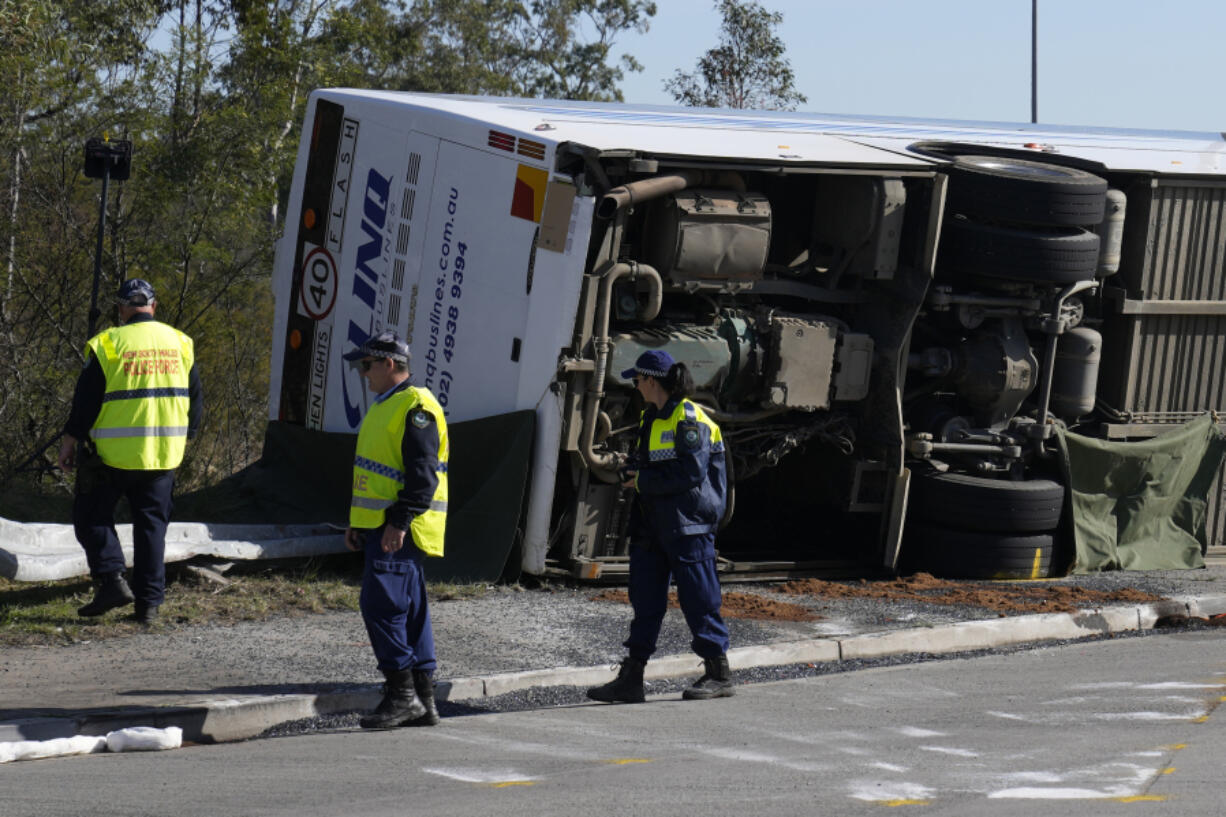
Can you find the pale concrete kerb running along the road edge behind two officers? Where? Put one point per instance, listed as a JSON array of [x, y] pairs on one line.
[[219, 717]]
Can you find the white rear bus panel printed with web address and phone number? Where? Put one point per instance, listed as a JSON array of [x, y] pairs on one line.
[[474, 343]]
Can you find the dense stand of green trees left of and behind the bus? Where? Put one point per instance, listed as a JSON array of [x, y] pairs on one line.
[[214, 107]]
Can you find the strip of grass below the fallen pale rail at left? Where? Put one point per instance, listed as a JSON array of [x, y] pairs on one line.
[[45, 613]]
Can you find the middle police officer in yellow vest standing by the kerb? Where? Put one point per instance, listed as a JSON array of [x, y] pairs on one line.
[[398, 517]]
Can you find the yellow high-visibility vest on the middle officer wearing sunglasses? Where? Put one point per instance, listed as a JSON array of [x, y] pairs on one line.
[[379, 468]]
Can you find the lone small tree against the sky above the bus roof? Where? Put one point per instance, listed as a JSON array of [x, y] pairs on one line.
[[746, 71]]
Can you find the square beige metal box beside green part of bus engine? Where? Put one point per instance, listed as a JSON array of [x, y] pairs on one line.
[[802, 364]]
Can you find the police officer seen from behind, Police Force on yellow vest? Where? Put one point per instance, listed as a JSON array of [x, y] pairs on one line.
[[137, 404]]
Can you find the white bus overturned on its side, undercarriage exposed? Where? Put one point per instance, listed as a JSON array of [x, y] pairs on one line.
[[892, 321]]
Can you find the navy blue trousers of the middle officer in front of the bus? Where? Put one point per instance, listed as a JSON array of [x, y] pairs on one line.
[[394, 607]]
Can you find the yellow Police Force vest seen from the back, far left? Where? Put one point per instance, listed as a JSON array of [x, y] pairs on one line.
[[144, 419]]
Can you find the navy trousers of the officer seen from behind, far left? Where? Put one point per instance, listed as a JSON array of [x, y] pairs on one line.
[[149, 495]]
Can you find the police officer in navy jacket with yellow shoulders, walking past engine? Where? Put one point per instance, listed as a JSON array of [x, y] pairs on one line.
[[681, 486]]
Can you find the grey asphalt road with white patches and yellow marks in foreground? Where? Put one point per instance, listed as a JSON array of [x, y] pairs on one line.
[[1116, 727]]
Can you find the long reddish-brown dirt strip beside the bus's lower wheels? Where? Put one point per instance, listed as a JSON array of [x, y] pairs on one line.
[[1003, 598]]
